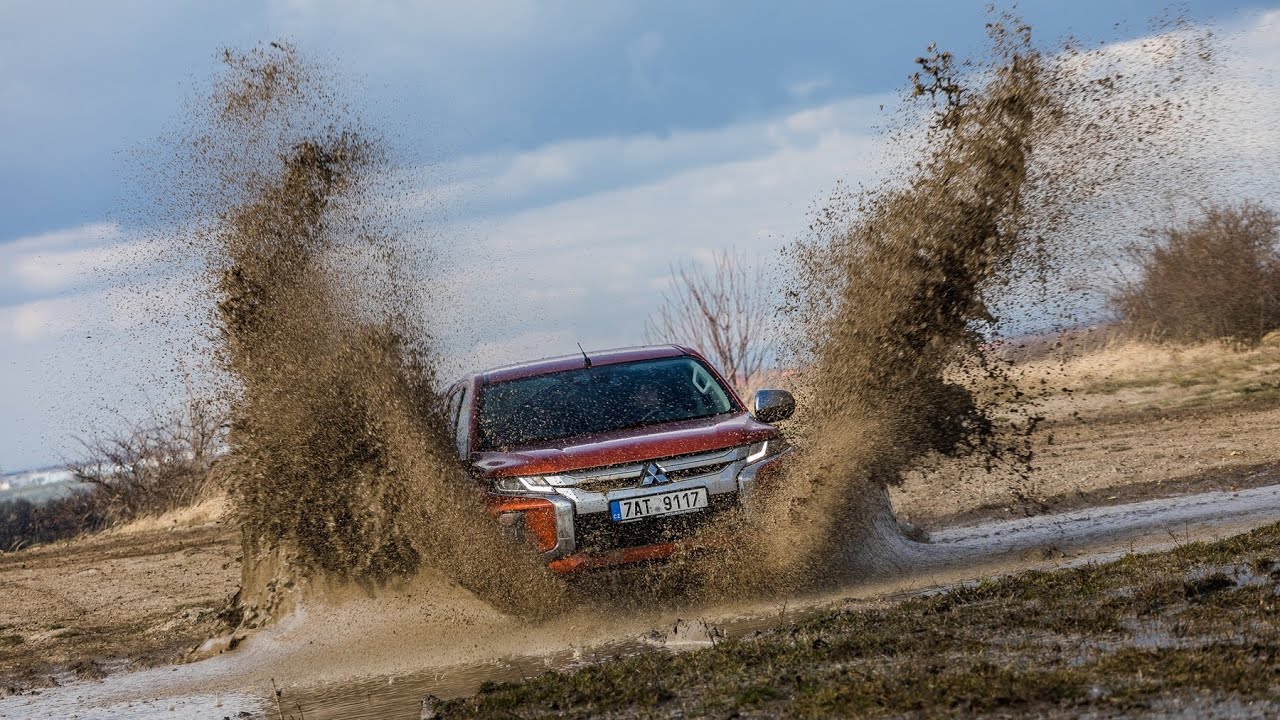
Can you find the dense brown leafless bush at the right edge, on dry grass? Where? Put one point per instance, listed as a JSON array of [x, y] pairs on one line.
[[1217, 277]]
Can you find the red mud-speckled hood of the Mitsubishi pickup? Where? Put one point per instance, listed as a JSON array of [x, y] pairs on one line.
[[633, 445]]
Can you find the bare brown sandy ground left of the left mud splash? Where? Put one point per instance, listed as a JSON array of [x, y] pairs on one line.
[[131, 598]]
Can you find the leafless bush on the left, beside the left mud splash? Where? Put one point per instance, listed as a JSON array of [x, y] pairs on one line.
[[154, 467]]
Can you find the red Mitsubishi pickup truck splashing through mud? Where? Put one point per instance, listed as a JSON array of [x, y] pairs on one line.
[[616, 457]]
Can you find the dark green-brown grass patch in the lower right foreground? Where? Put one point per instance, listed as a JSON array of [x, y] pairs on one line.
[[1039, 642]]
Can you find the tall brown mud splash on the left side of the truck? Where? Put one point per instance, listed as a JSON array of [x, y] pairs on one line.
[[341, 467]]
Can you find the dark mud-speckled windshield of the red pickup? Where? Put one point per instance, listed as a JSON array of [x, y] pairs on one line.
[[597, 400]]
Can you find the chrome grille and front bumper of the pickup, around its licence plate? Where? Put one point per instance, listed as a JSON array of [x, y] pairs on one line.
[[586, 537]]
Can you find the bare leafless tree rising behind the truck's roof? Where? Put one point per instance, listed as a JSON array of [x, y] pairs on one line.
[[723, 311]]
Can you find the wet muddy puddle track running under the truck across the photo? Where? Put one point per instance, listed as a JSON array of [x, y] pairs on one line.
[[377, 658]]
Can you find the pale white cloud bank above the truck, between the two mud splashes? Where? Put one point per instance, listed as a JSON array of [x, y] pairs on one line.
[[591, 268]]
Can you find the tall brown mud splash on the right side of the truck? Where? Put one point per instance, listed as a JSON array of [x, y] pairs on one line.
[[897, 295]]
